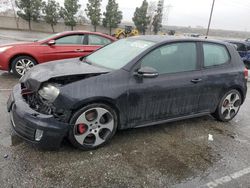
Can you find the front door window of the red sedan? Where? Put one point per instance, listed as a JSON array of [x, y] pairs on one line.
[[70, 40]]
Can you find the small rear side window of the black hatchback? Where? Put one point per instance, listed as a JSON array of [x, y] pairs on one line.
[[215, 54]]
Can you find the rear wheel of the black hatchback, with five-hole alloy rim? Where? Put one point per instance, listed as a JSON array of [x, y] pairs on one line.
[[229, 106]]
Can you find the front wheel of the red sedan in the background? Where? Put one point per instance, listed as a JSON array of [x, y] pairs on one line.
[[21, 64]]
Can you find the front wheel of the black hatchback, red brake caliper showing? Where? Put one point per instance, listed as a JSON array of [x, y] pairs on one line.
[[92, 126]]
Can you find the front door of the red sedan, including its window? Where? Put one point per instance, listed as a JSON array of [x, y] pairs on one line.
[[68, 46]]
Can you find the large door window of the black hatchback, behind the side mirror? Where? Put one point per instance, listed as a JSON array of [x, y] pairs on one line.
[[172, 58]]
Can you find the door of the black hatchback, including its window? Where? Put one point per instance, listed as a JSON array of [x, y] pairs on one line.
[[174, 93]]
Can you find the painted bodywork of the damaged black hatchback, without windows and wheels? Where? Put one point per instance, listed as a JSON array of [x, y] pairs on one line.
[[138, 101]]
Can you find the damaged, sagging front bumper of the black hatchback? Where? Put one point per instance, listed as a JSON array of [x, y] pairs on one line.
[[39, 129]]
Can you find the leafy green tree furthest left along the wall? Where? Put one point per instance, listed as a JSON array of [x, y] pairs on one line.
[[29, 10]]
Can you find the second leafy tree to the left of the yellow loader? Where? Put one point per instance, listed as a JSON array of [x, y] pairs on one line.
[[93, 12]]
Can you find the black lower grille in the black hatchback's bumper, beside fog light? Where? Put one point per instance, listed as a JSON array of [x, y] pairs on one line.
[[22, 128]]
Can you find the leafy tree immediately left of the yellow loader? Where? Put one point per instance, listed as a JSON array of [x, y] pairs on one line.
[[112, 16]]
